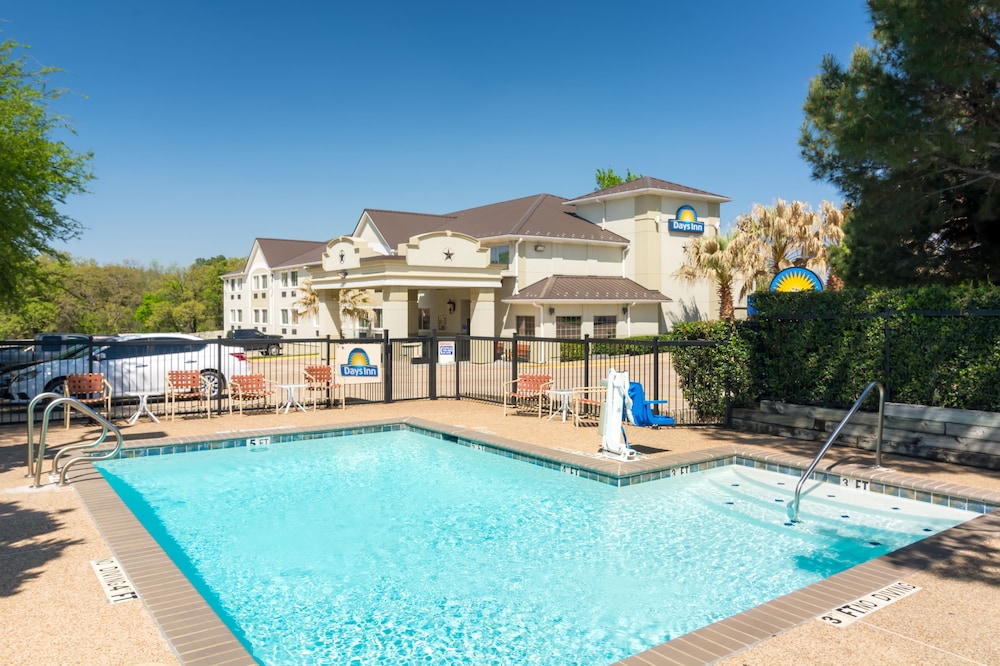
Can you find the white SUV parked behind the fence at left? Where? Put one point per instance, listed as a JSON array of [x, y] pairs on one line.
[[136, 363]]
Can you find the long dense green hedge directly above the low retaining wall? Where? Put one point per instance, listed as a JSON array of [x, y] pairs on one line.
[[929, 346]]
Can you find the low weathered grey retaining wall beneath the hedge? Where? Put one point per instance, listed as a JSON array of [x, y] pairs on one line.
[[936, 433]]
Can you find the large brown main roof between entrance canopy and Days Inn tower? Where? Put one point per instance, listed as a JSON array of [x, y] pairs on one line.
[[538, 216]]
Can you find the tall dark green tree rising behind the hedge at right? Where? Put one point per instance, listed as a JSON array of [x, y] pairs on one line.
[[910, 133]]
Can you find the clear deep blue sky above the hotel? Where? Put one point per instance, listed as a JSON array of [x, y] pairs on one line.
[[214, 122]]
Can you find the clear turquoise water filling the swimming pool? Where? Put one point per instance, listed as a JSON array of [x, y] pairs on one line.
[[401, 548]]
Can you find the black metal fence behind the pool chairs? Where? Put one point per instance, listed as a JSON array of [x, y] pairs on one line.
[[455, 367]]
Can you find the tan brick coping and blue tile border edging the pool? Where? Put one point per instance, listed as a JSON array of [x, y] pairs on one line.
[[198, 636]]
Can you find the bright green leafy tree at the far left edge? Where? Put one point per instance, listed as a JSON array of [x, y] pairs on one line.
[[37, 173]]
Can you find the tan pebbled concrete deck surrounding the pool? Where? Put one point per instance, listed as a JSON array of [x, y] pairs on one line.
[[54, 611]]
